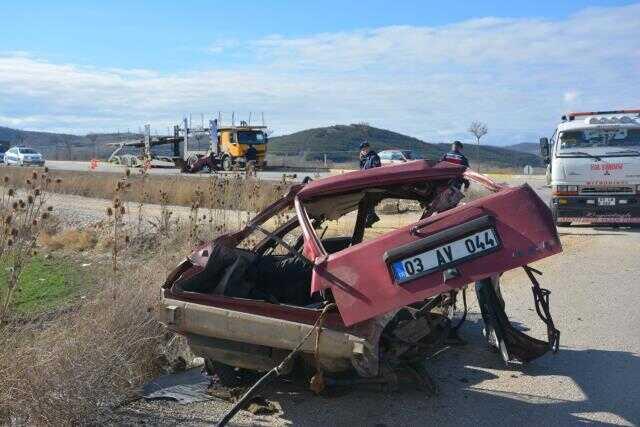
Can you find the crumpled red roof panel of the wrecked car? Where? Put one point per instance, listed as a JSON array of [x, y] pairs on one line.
[[410, 172]]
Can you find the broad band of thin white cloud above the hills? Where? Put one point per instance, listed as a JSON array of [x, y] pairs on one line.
[[518, 75]]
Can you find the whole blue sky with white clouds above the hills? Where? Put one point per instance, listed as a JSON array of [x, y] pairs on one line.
[[422, 68]]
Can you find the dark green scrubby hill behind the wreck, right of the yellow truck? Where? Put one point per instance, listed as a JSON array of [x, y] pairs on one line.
[[340, 144]]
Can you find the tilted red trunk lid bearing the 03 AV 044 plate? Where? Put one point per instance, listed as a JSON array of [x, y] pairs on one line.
[[443, 252]]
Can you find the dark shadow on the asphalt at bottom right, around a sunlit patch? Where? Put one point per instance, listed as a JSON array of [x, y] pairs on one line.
[[568, 388]]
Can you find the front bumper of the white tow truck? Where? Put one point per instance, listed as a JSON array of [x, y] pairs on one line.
[[624, 209]]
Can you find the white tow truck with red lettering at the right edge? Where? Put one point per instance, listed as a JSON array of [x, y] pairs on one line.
[[593, 160]]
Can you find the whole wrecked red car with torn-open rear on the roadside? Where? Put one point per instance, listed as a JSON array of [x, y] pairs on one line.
[[247, 299]]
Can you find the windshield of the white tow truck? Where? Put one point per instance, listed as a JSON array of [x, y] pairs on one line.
[[591, 138]]
